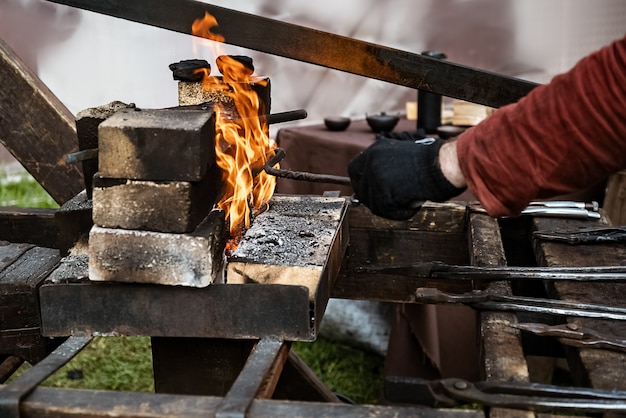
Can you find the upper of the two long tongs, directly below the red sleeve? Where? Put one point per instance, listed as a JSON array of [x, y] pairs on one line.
[[436, 270]]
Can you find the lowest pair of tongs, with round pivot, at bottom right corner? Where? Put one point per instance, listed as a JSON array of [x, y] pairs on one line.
[[527, 396]]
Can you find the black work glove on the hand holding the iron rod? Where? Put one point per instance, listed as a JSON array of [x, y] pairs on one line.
[[393, 178]]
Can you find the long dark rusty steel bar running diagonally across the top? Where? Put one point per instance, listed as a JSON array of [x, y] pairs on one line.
[[320, 48]]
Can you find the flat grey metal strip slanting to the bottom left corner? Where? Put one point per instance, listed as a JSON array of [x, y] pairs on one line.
[[12, 394]]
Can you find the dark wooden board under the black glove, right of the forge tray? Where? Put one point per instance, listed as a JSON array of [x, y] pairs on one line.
[[436, 232]]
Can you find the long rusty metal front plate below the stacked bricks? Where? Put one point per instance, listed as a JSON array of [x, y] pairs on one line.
[[246, 311]]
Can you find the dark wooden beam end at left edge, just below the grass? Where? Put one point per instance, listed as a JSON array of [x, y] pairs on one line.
[[29, 225]]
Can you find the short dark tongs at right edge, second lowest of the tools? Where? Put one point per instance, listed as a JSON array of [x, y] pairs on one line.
[[574, 335]]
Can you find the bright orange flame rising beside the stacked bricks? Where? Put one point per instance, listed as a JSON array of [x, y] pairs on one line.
[[241, 140]]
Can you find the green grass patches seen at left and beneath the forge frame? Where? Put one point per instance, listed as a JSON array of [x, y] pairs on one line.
[[125, 363]]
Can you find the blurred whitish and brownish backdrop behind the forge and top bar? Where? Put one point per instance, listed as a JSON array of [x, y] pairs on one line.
[[88, 59]]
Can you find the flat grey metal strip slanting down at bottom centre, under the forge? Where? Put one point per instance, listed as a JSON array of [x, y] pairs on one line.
[[265, 355]]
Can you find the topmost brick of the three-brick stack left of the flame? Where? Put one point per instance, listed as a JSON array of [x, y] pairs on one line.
[[157, 144]]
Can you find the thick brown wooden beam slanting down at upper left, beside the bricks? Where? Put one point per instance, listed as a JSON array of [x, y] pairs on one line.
[[37, 128]]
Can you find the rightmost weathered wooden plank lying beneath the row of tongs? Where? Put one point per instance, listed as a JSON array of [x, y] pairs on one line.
[[600, 369]]
